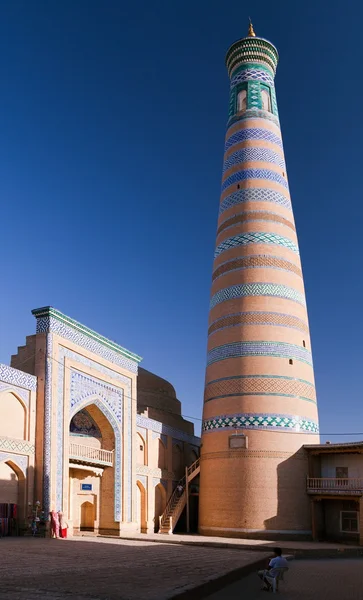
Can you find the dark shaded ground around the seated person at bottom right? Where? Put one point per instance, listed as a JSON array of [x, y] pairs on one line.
[[336, 579]]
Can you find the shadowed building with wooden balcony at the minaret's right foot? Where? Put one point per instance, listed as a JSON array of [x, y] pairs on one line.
[[335, 487]]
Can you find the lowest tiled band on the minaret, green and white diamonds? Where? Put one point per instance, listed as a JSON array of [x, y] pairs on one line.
[[271, 422]]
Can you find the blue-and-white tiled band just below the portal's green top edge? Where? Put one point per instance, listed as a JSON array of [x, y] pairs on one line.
[[51, 324]]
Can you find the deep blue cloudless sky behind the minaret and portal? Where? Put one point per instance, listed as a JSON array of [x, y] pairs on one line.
[[112, 122]]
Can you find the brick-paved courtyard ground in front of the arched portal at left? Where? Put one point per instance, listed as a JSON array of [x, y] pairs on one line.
[[110, 569]]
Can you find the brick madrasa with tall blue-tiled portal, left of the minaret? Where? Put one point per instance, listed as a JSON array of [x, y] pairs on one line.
[[86, 431]]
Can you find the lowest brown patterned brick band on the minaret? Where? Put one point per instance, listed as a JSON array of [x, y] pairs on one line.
[[260, 385]]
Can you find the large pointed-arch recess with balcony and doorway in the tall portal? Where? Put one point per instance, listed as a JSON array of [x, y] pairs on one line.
[[91, 469]]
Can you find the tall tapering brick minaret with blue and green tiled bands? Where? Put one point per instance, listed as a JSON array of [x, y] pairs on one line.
[[260, 403]]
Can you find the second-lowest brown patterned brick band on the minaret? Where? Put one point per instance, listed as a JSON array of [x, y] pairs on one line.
[[258, 318]]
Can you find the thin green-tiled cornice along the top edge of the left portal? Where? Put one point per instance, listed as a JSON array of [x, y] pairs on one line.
[[50, 312]]
